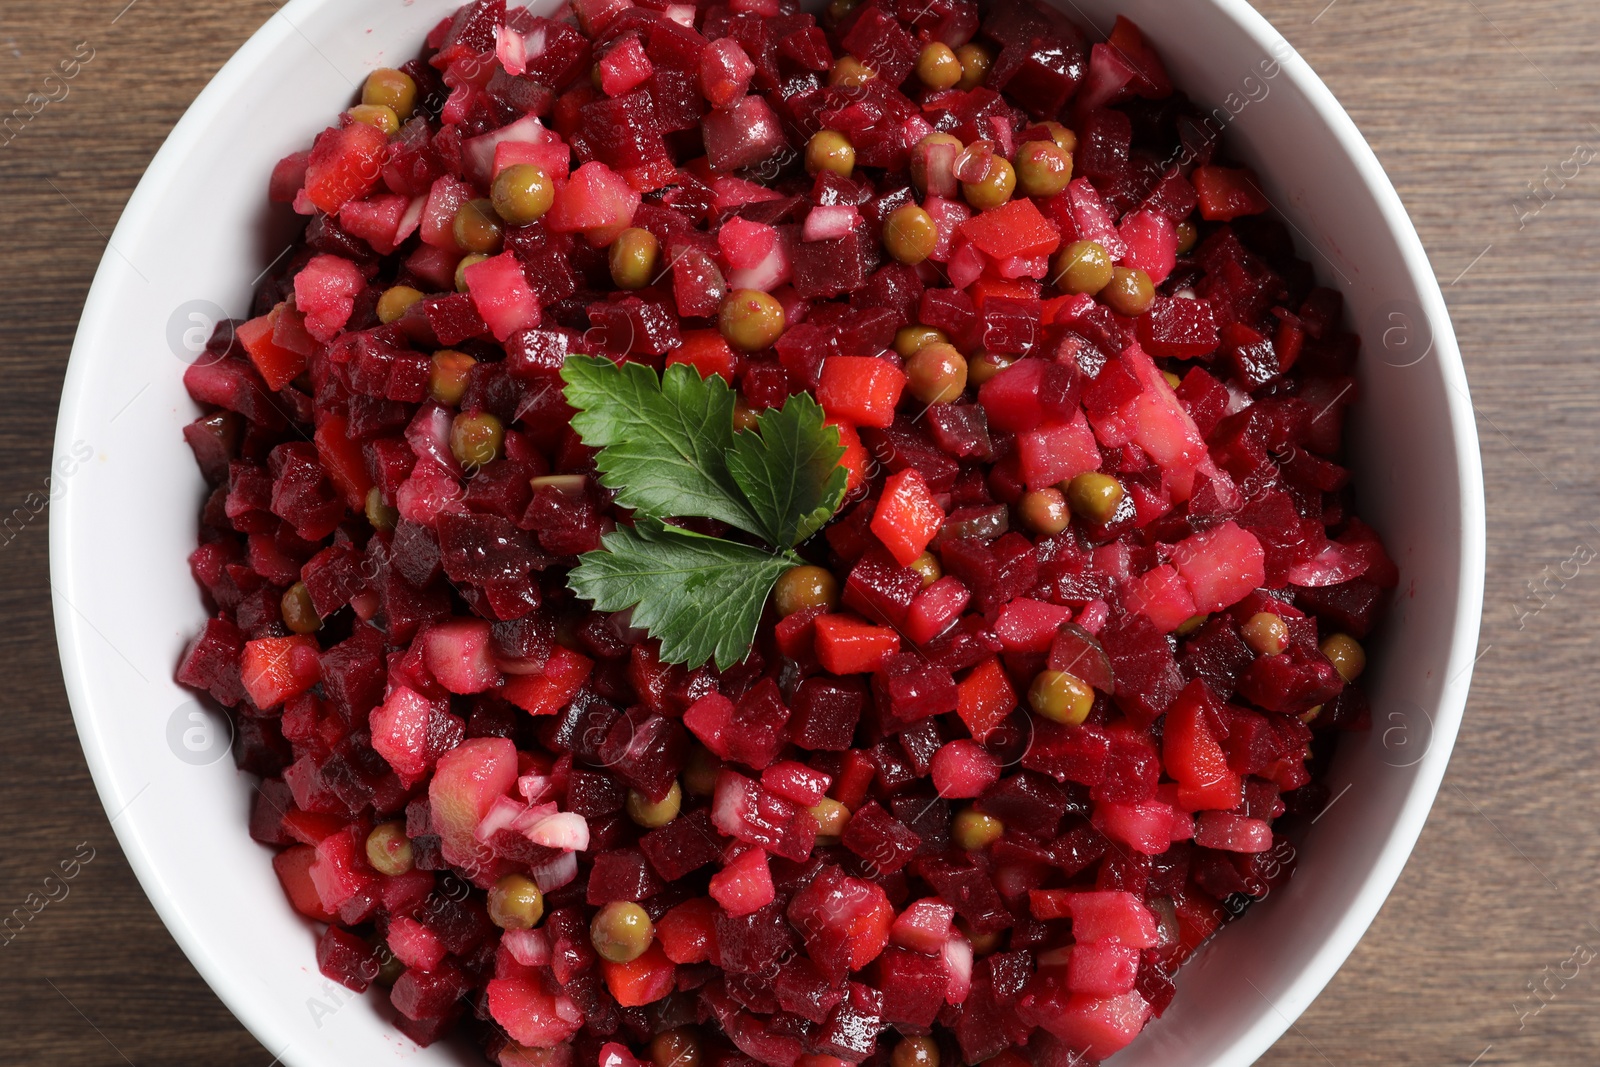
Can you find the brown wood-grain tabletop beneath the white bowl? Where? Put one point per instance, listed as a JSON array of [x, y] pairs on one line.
[[1465, 102]]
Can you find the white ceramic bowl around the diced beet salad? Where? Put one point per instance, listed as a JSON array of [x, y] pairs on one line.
[[194, 238]]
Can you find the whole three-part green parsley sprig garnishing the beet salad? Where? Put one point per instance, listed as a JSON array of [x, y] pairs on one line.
[[670, 450]]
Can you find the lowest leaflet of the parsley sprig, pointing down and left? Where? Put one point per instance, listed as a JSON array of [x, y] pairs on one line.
[[700, 596]]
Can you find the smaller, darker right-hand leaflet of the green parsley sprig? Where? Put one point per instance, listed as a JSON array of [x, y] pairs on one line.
[[791, 471]]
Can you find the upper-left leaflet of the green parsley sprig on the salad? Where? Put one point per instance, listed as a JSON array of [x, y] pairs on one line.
[[663, 441]]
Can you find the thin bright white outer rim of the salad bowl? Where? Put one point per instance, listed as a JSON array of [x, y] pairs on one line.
[[257, 52]]
